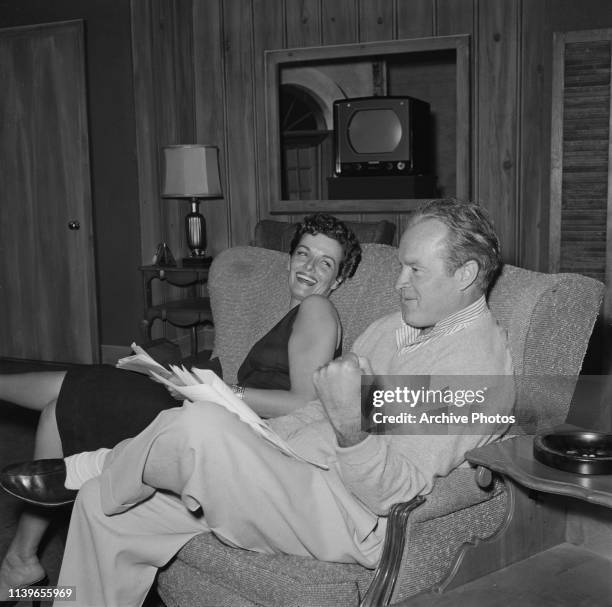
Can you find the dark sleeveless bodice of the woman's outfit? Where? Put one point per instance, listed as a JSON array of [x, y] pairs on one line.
[[267, 363]]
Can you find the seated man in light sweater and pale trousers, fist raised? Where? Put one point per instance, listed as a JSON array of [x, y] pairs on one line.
[[198, 468]]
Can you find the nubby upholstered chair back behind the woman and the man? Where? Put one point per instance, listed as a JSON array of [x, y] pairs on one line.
[[542, 313]]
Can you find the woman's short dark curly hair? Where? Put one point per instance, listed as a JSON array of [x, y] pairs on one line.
[[332, 227]]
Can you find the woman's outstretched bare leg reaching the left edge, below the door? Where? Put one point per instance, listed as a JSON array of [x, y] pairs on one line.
[[31, 390]]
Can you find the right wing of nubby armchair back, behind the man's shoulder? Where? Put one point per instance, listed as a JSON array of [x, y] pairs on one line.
[[548, 318]]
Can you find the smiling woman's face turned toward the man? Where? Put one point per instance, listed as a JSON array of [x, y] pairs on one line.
[[314, 266]]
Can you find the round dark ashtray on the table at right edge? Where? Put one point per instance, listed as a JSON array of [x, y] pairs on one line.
[[579, 451]]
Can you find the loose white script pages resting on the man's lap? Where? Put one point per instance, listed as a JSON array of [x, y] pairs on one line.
[[205, 385]]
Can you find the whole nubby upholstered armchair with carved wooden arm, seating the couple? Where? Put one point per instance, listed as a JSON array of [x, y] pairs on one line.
[[549, 319]]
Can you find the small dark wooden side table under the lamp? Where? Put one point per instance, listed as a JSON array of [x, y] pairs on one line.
[[188, 312]]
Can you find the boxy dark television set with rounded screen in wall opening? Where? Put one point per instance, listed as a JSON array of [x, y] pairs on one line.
[[381, 136]]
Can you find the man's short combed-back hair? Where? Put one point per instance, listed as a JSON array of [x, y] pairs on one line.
[[471, 236]]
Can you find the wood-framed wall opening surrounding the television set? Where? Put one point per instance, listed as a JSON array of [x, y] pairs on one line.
[[302, 84]]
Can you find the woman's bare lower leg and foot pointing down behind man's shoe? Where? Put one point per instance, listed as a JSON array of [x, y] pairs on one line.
[[20, 565]]
